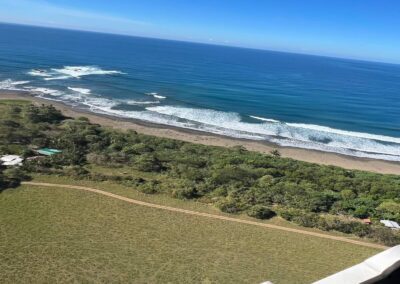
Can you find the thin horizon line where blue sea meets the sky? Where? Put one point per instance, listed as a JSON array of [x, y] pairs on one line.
[[203, 43]]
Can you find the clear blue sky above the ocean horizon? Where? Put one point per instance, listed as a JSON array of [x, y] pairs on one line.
[[361, 29]]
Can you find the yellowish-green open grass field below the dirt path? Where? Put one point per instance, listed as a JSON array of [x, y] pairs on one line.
[[57, 235]]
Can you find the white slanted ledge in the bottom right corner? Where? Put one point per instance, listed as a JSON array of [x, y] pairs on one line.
[[371, 270]]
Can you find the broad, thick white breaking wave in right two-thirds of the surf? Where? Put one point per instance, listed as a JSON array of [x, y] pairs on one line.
[[313, 137]]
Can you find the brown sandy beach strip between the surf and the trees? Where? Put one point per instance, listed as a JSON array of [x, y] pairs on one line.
[[198, 137]]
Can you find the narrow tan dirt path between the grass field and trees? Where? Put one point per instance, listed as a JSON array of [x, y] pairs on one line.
[[195, 213]]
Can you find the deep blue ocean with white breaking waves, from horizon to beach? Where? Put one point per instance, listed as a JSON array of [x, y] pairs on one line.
[[329, 104]]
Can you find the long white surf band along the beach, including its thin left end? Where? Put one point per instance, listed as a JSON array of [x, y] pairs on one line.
[[230, 124]]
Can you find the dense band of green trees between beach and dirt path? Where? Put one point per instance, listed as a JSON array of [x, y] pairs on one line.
[[234, 179]]
